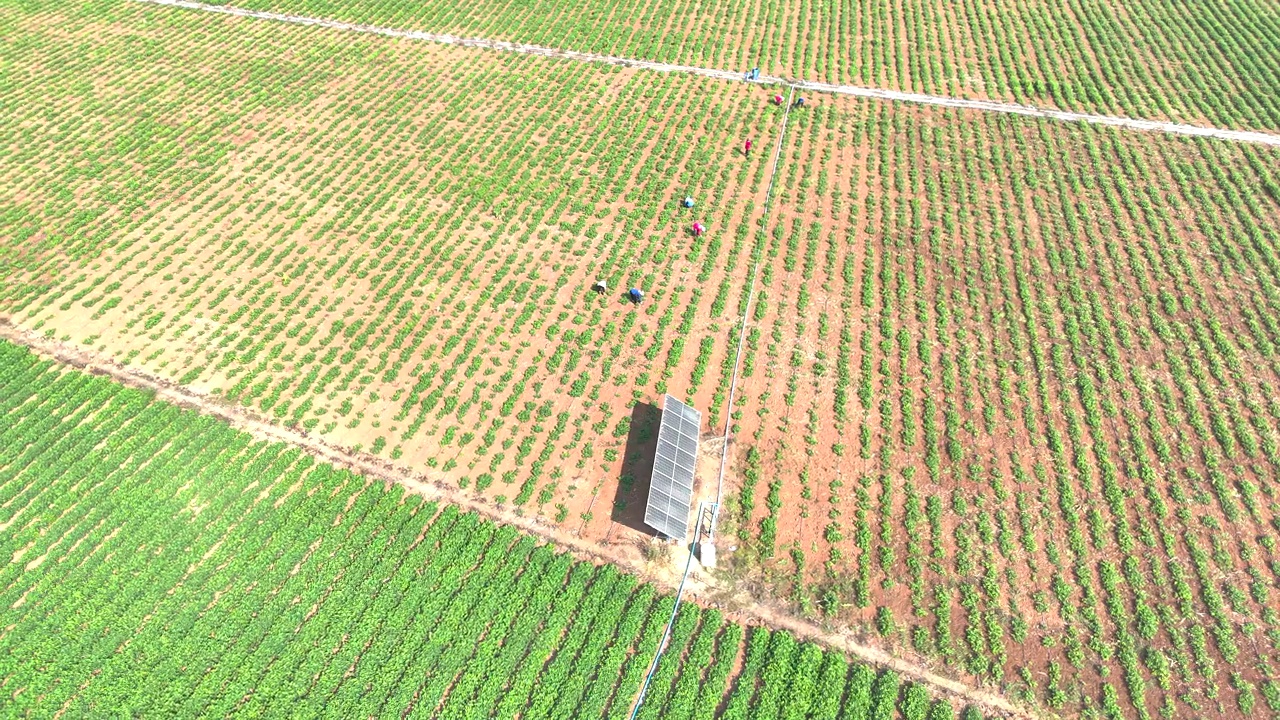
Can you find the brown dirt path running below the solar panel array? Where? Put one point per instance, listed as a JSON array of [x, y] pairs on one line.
[[746, 609]]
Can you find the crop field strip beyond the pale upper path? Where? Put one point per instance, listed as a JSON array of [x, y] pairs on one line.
[[1215, 63]]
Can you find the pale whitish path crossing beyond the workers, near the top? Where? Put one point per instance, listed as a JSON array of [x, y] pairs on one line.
[[895, 95]]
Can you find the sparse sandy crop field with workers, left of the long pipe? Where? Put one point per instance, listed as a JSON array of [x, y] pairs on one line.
[[385, 247]]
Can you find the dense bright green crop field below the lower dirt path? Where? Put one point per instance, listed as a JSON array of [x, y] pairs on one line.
[[166, 566]]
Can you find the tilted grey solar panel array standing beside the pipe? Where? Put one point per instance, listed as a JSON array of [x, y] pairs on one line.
[[671, 491]]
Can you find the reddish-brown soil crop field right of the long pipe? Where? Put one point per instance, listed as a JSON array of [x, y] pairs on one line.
[[1011, 399]]
